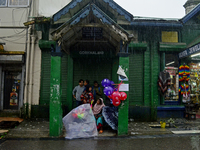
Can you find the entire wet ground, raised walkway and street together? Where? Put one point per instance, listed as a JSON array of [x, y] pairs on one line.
[[34, 134]]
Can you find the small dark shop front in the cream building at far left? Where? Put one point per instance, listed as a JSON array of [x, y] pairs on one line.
[[12, 77]]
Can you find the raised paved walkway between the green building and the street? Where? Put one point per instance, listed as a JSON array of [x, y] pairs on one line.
[[39, 128]]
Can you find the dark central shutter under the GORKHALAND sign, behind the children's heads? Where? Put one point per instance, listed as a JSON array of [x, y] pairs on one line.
[[92, 69]]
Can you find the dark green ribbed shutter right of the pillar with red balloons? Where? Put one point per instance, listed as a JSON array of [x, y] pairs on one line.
[[136, 77]]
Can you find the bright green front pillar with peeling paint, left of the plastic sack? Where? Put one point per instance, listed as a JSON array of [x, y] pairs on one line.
[[55, 124]]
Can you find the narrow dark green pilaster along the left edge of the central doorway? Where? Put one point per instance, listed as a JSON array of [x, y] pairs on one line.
[[69, 83]]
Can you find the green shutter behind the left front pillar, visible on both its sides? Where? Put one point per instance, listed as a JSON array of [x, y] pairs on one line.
[[45, 78]]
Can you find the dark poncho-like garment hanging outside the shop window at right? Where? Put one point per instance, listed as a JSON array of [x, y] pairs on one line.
[[164, 81]]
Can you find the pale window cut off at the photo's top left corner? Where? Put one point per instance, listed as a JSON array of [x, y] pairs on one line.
[[14, 3]]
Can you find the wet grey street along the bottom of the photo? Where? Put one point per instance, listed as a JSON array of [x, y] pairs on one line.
[[156, 142]]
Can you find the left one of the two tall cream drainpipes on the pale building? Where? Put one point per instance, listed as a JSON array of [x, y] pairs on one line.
[[27, 69]]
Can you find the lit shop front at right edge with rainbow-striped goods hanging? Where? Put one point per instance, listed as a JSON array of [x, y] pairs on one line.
[[189, 88]]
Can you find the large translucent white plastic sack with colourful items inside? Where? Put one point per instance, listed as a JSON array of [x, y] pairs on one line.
[[80, 123]]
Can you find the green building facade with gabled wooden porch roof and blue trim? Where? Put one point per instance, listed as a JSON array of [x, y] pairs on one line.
[[95, 35]]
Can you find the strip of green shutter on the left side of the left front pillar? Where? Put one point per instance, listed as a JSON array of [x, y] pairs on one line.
[[45, 78]]
